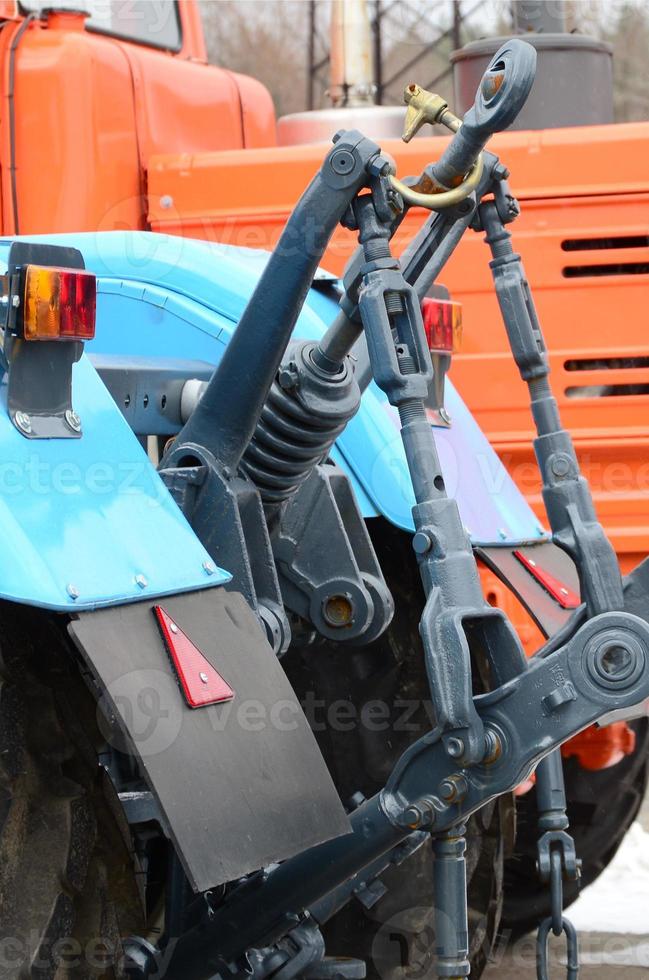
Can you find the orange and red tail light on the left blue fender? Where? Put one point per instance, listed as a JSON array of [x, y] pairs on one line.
[[57, 304]]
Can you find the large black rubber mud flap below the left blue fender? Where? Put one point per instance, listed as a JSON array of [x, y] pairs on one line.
[[241, 784]]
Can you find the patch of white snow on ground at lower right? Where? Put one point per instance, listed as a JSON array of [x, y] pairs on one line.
[[618, 901]]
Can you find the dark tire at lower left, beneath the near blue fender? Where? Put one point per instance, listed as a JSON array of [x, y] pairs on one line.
[[67, 888]]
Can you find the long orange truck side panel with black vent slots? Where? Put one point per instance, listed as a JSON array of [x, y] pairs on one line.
[[590, 183]]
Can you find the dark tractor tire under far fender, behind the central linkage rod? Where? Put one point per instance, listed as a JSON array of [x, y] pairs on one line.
[[395, 935]]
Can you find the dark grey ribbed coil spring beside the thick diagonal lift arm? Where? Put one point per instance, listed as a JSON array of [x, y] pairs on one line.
[[288, 442]]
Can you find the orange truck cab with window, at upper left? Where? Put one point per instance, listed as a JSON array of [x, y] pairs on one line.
[[91, 100]]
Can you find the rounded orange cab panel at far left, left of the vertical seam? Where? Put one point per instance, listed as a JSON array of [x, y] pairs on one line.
[[76, 146]]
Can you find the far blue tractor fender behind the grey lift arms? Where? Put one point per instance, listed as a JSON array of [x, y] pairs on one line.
[[181, 299]]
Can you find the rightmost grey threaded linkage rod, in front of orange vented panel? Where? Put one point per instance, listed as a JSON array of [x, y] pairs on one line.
[[566, 494]]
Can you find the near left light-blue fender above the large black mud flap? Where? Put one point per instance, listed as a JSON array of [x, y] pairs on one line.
[[88, 522]]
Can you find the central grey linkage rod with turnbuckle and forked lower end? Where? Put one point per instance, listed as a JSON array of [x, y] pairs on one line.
[[401, 366]]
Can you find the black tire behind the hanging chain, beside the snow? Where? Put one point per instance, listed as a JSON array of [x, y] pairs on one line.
[[602, 805]]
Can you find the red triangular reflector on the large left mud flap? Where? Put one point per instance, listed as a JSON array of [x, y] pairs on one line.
[[200, 682]]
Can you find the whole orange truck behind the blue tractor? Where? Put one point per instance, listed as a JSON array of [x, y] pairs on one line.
[[114, 120]]
